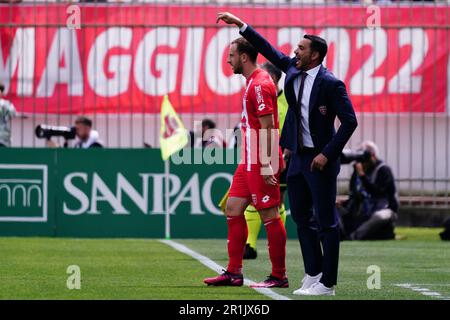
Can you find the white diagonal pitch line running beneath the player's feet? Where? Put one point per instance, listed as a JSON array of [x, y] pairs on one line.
[[217, 268]]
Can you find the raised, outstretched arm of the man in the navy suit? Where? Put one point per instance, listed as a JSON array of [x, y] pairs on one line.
[[278, 58]]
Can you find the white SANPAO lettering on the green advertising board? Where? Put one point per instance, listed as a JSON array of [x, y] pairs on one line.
[[86, 193]]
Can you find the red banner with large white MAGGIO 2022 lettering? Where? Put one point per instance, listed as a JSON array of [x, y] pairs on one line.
[[124, 59]]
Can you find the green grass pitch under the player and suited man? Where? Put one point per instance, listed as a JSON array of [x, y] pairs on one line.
[[35, 268]]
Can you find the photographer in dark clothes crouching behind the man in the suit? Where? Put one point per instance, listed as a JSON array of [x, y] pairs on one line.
[[371, 210]]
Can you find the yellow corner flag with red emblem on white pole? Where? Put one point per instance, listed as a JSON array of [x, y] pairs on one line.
[[173, 135]]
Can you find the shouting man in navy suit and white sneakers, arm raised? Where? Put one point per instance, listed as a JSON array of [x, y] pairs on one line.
[[315, 99]]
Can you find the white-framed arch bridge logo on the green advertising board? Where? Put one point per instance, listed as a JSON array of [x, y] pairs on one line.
[[23, 192]]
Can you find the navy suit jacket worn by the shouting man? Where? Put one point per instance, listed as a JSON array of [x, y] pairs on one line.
[[328, 99]]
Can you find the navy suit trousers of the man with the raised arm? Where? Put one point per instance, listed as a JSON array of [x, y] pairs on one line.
[[312, 199]]
